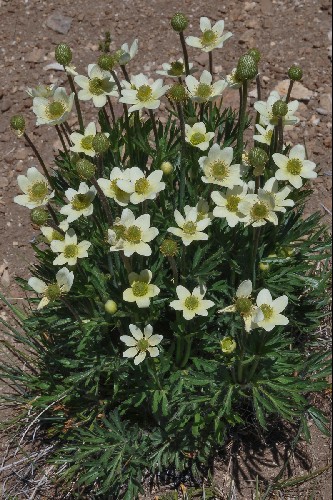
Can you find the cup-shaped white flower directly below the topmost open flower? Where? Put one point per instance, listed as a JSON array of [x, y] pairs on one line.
[[204, 90]]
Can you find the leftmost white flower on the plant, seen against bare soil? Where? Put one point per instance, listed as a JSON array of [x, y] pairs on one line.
[[35, 188]]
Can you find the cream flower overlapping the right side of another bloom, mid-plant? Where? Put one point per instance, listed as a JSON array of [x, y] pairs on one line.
[[141, 188]]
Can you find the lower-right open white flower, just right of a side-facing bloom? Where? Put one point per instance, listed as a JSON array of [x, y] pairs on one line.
[[270, 310]]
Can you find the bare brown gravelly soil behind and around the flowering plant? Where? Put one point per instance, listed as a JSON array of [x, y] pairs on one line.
[[286, 32]]
